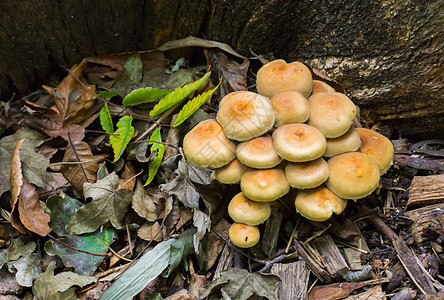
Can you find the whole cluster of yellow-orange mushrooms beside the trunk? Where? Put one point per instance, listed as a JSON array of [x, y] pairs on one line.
[[295, 133]]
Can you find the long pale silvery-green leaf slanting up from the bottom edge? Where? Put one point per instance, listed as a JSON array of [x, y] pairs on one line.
[[136, 278]]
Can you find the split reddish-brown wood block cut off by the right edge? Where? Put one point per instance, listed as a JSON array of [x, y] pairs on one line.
[[425, 190]]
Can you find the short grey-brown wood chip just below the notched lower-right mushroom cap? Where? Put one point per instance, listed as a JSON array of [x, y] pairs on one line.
[[332, 257]]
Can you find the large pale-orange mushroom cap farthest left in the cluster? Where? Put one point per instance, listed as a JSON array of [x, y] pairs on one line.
[[206, 145]]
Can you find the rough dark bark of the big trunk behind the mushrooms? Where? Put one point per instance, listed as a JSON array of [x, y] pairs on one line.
[[389, 54]]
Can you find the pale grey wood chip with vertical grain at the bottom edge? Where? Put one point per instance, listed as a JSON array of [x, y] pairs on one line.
[[294, 280]]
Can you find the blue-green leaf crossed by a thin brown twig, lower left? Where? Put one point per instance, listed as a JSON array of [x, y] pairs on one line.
[[85, 264]]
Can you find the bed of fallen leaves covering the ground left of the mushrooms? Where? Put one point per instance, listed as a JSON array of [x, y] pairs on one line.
[[113, 183]]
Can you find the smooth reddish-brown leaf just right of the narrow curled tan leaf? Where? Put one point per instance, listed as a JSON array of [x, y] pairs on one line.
[[31, 212]]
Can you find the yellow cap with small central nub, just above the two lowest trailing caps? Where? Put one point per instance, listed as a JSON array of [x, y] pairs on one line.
[[264, 185]]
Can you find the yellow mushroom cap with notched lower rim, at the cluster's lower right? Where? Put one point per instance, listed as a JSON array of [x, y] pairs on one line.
[[319, 204]]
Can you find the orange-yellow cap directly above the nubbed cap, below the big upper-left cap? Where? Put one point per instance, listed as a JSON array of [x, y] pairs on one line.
[[258, 153]]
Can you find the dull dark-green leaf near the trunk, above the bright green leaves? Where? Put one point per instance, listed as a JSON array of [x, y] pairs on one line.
[[130, 77]]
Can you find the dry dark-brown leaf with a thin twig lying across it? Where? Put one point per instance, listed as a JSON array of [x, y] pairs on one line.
[[78, 174]]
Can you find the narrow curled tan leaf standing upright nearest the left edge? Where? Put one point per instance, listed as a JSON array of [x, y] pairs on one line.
[[16, 182]]
